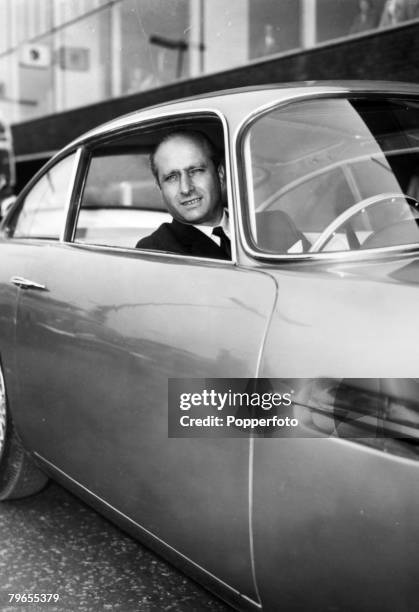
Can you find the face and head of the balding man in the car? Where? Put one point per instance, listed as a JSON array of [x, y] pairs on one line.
[[191, 185]]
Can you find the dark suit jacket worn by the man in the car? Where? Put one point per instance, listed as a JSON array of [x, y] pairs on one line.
[[182, 239]]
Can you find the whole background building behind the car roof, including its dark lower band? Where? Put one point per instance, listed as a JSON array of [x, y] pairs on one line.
[[68, 65]]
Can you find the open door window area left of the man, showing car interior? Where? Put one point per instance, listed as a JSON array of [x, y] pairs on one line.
[[121, 202]]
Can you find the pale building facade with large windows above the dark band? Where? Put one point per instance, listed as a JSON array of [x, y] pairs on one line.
[[61, 54]]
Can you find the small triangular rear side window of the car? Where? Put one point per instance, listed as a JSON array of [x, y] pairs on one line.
[[42, 214]]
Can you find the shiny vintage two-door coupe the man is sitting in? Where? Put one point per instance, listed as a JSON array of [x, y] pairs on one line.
[[317, 305]]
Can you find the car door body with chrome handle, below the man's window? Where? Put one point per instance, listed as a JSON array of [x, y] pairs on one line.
[[97, 342]]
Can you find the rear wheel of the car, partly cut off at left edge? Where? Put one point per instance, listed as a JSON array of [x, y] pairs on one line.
[[19, 476]]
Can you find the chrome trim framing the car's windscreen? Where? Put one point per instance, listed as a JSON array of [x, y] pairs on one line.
[[241, 180]]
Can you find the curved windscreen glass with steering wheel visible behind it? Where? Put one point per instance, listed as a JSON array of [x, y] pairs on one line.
[[334, 175]]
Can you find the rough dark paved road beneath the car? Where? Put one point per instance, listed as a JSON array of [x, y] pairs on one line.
[[53, 543]]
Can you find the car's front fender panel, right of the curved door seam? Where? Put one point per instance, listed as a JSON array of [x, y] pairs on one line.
[[334, 521]]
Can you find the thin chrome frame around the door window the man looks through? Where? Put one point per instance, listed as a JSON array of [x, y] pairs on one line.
[[120, 130]]
